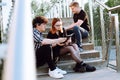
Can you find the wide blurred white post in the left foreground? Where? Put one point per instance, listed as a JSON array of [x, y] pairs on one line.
[[19, 61]]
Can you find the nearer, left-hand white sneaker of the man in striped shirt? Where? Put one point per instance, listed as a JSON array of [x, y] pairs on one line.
[[55, 74]]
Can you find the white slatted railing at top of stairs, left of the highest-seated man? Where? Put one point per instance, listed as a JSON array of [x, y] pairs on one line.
[[60, 9]]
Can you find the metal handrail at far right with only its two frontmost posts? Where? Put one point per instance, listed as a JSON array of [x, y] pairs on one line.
[[109, 44]]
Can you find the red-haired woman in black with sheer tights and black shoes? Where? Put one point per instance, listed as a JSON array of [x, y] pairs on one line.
[[60, 49]]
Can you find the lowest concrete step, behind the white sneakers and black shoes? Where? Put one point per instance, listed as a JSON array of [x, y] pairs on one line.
[[68, 65]]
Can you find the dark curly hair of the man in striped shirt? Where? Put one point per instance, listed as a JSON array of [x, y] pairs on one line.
[[39, 20]]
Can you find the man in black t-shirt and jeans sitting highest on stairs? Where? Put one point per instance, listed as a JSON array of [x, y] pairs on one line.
[[80, 27]]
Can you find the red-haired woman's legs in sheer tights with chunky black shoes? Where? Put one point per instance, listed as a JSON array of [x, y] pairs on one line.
[[80, 65]]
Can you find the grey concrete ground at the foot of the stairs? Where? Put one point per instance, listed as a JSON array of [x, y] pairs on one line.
[[101, 74]]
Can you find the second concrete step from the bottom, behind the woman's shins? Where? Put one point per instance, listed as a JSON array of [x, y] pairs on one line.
[[84, 55]]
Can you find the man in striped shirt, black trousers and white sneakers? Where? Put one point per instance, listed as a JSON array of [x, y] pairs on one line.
[[43, 47]]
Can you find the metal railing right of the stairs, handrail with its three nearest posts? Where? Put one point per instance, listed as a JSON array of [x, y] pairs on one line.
[[114, 25]]
